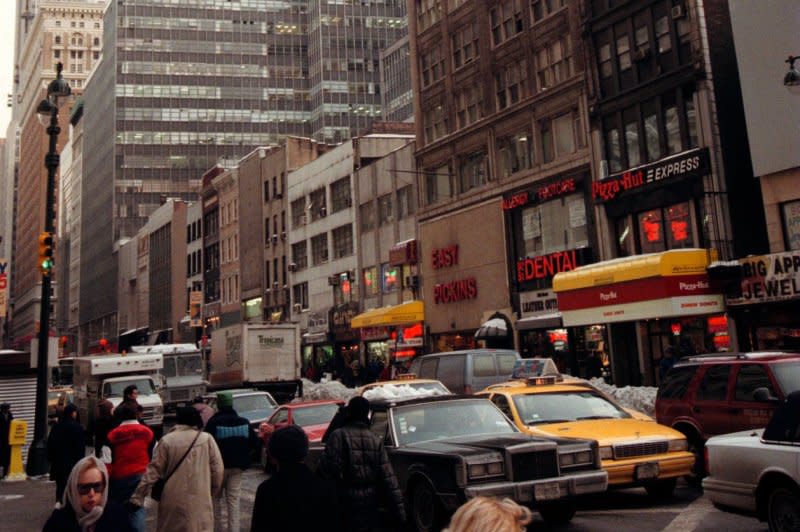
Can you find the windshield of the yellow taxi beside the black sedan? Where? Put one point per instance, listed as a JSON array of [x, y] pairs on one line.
[[561, 407]]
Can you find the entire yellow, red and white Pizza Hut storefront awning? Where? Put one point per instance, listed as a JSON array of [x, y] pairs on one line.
[[658, 285]]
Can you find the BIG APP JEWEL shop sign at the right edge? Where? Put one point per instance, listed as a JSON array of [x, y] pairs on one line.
[[767, 278]]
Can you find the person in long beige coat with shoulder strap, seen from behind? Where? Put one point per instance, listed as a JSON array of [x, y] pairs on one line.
[[186, 503]]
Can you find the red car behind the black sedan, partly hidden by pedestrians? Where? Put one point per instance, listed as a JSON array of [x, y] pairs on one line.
[[312, 416]]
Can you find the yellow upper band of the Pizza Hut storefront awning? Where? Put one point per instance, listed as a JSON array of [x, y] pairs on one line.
[[665, 264]]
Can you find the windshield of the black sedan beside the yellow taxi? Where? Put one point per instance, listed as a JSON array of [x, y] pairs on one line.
[[448, 419]]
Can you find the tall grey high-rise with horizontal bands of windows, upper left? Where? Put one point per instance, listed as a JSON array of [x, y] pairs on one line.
[[185, 86]]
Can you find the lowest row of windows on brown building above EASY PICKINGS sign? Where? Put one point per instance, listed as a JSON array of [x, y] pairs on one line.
[[557, 137]]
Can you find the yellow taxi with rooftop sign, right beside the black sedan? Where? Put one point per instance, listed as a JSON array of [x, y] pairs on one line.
[[634, 451]]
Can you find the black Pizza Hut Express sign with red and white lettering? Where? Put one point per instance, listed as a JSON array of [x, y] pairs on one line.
[[689, 163]]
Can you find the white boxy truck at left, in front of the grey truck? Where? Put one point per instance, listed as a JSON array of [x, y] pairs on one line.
[[106, 377]]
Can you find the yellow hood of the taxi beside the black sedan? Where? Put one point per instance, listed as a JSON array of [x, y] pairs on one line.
[[607, 431]]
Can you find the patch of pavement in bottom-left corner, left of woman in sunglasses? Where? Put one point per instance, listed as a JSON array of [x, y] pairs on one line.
[[25, 505]]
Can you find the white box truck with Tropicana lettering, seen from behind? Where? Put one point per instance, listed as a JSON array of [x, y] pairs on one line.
[[262, 356]]
